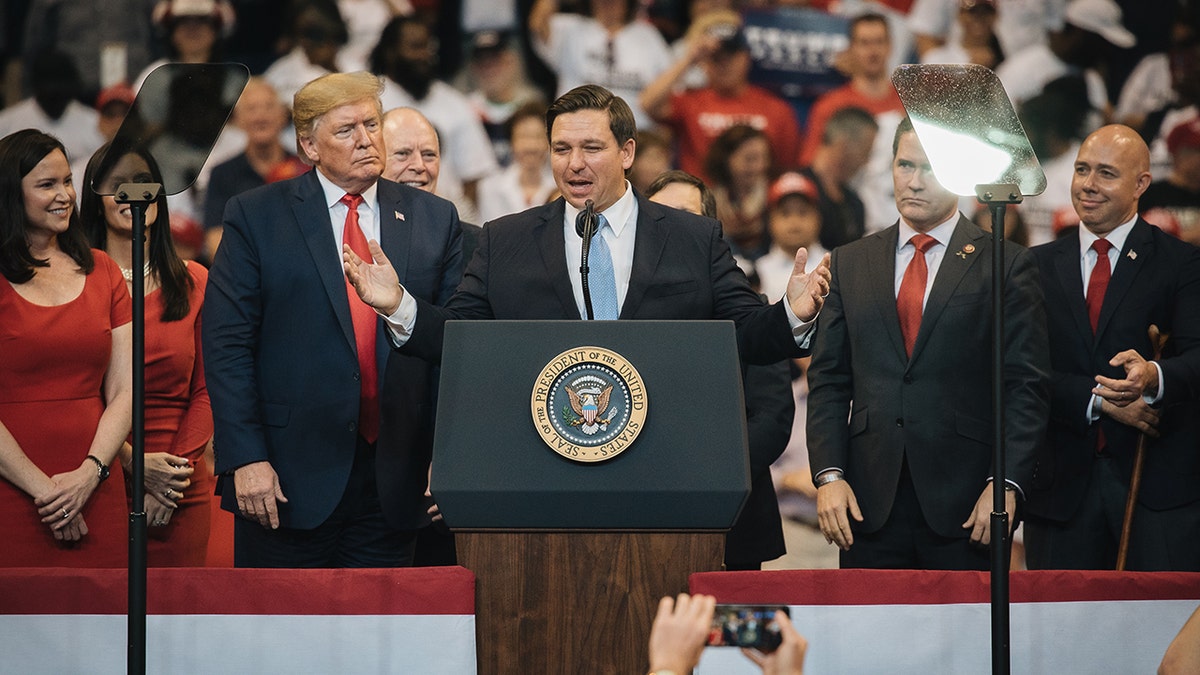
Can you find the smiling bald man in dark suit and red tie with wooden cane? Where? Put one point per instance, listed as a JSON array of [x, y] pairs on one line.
[[1105, 288]]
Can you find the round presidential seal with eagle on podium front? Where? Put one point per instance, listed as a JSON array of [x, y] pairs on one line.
[[589, 404]]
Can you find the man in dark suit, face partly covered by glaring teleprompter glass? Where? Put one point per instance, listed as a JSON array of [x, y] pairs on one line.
[[903, 351]]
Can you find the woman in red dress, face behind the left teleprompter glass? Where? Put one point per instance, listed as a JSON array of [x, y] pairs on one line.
[[178, 417]]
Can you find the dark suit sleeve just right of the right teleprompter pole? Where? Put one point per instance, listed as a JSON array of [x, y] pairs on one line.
[[1027, 367]]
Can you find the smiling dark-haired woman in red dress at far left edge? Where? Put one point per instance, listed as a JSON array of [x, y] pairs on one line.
[[67, 393]]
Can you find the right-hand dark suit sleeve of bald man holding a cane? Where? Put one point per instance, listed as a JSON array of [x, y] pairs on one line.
[[1181, 368]]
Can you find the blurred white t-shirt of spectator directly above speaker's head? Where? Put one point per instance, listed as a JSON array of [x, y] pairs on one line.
[[581, 52]]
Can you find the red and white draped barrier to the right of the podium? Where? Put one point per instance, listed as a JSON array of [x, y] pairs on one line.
[[885, 622]]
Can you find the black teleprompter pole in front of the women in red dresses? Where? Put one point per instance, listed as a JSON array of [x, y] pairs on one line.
[[139, 196]]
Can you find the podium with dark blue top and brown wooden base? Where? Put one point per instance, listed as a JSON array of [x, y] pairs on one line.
[[573, 558]]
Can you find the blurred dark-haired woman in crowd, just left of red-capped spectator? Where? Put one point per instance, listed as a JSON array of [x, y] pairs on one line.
[[740, 168]]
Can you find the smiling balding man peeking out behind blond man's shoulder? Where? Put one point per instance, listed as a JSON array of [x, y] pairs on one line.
[[415, 159]]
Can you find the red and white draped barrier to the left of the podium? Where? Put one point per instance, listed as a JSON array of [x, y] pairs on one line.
[[221, 622]]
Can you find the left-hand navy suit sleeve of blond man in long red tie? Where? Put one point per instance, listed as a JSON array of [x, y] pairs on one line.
[[231, 330]]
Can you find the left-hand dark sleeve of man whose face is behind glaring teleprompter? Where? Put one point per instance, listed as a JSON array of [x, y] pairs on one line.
[[831, 383]]
